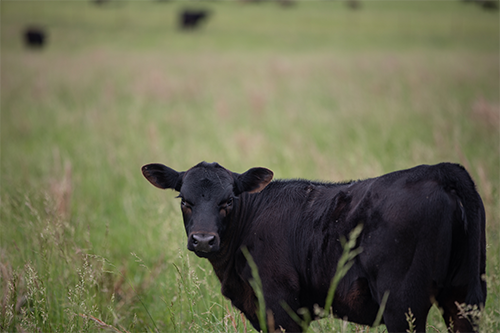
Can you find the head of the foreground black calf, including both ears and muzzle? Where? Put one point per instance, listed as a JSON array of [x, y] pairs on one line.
[[208, 194]]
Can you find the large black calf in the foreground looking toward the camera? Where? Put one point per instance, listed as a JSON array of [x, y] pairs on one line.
[[423, 241]]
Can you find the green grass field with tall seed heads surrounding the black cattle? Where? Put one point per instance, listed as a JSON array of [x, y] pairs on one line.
[[312, 91]]
